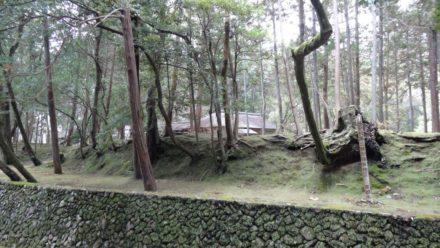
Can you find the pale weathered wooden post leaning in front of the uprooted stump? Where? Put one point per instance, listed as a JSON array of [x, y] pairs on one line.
[[363, 154]]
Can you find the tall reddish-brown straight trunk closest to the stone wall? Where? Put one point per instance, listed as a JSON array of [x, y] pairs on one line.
[[139, 142]]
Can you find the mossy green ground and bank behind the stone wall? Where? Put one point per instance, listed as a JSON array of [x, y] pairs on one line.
[[269, 173]]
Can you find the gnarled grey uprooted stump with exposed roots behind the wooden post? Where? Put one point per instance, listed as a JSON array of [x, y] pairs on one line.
[[342, 141]]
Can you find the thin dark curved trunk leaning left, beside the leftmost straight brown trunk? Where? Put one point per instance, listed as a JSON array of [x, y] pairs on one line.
[[27, 145]]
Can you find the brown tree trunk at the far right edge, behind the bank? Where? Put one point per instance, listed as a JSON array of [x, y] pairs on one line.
[[433, 80]]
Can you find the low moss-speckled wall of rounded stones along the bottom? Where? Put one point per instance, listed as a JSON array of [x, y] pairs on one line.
[[33, 216]]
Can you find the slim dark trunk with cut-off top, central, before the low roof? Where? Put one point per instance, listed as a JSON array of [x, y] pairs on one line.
[[224, 74]]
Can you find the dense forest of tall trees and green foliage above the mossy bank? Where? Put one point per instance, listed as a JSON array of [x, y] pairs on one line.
[[97, 74]]
